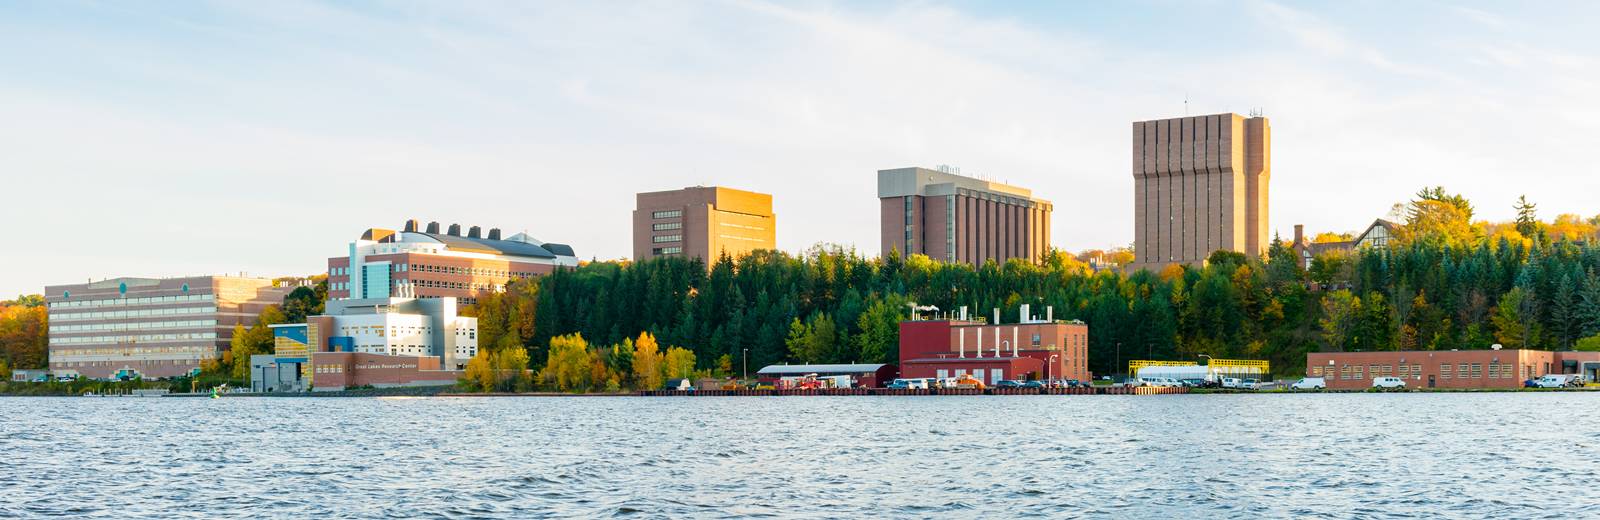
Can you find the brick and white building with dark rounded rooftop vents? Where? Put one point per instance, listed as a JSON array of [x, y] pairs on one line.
[[428, 263]]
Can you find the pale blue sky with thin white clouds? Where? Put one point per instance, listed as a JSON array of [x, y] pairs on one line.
[[183, 138]]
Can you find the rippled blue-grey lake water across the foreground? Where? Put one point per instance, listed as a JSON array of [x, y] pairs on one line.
[[1196, 457]]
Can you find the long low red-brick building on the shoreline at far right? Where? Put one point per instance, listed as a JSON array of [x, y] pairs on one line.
[[1449, 369]]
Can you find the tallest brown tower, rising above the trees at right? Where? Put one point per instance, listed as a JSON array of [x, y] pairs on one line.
[[1201, 185]]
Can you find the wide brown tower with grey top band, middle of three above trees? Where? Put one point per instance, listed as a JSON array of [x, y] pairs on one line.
[[961, 220]]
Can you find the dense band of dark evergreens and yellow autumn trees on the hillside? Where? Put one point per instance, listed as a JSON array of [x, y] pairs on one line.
[[1442, 282]]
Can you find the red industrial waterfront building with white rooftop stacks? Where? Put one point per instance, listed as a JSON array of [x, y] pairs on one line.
[[1031, 350]]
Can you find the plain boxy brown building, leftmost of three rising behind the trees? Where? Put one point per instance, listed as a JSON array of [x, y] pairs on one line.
[[703, 223]]
